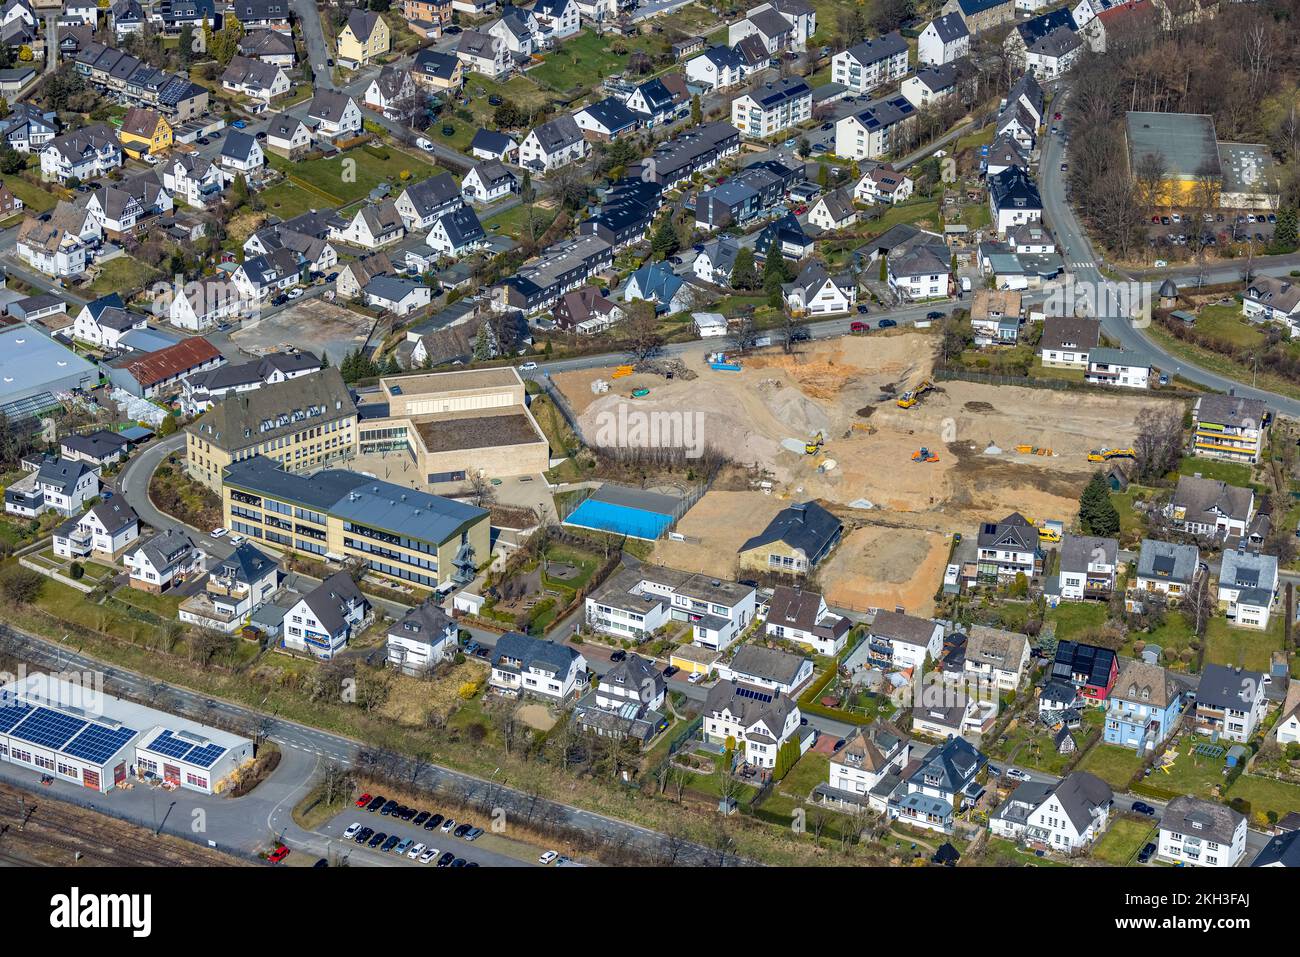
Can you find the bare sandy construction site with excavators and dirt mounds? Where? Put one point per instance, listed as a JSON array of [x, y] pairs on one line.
[[860, 425]]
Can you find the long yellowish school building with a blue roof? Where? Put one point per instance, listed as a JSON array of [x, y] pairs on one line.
[[395, 531]]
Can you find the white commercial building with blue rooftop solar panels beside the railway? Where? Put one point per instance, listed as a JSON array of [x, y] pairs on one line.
[[88, 738]]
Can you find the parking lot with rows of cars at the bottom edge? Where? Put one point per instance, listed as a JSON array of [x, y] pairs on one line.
[[453, 843]]
